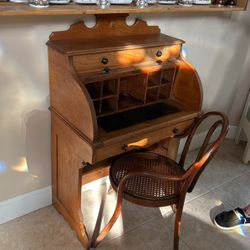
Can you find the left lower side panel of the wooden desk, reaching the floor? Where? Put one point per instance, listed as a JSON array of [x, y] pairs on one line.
[[66, 185]]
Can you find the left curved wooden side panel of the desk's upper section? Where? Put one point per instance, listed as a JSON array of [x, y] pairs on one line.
[[68, 99]]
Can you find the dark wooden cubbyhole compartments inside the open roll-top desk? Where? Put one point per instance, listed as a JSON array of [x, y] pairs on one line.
[[127, 92]]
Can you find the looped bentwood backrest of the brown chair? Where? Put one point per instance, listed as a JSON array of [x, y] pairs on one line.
[[207, 150]]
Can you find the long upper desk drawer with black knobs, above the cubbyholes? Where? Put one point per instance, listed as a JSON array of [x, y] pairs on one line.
[[124, 58]]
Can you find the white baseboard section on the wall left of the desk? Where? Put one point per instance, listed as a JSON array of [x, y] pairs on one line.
[[24, 204]]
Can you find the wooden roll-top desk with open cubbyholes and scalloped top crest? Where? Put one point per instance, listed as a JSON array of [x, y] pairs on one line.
[[113, 88]]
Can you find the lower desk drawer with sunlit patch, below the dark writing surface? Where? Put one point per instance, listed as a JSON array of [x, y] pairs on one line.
[[141, 141]]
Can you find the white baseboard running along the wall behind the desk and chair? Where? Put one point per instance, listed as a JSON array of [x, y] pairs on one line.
[[29, 202]]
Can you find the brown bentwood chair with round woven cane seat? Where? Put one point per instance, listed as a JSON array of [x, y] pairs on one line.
[[152, 180]]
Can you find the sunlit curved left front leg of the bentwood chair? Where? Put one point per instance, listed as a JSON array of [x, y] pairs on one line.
[[111, 222]]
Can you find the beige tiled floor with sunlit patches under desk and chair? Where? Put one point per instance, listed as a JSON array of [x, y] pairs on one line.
[[224, 185]]
